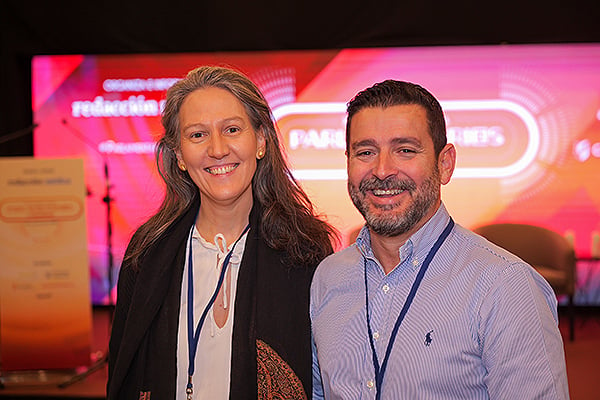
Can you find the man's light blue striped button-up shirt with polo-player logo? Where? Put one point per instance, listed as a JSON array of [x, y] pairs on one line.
[[483, 324]]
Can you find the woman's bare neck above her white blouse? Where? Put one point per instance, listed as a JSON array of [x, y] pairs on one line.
[[228, 220]]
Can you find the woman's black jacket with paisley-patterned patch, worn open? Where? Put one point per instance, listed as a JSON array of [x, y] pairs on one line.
[[271, 314]]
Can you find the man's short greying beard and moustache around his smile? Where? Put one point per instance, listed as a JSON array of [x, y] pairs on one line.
[[389, 221]]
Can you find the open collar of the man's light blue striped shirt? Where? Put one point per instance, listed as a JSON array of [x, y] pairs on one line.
[[417, 246]]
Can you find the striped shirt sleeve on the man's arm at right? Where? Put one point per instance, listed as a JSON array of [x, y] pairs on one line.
[[522, 348]]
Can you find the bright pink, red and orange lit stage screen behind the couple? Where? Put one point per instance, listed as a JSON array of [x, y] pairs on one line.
[[524, 119]]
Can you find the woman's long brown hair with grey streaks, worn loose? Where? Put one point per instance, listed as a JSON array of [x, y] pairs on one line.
[[288, 222]]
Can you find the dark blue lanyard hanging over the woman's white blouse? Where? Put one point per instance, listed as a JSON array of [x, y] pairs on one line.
[[194, 337]]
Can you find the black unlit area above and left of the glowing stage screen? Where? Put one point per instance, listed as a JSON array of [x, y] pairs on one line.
[[30, 27]]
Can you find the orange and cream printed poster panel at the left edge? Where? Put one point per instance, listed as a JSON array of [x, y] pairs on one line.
[[45, 308]]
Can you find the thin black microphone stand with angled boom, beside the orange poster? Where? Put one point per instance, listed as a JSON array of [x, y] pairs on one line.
[[107, 199]]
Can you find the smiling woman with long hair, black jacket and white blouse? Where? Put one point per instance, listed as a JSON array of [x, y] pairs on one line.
[[236, 224]]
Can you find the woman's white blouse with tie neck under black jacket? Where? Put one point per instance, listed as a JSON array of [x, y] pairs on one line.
[[211, 378]]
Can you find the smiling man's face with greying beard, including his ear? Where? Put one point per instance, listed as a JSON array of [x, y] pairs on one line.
[[394, 176]]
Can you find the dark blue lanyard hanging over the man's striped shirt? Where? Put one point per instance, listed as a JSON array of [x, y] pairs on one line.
[[380, 370]]
